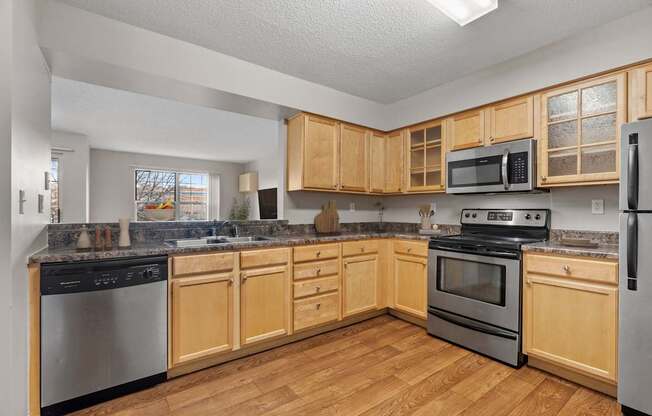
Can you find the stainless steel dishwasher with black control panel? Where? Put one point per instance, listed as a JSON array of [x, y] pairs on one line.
[[103, 330]]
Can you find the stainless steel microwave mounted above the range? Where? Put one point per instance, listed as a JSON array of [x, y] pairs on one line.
[[506, 167]]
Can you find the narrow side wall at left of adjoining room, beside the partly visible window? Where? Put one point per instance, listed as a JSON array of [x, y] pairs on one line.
[[73, 175]]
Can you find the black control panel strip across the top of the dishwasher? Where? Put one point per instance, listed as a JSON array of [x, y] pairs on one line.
[[62, 278]]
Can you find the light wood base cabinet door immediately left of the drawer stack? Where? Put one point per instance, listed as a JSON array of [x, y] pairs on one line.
[[264, 303]]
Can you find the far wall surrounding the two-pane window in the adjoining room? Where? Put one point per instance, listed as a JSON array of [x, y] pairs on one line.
[[112, 181]]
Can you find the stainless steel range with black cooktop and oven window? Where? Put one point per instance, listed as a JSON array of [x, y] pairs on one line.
[[474, 280]]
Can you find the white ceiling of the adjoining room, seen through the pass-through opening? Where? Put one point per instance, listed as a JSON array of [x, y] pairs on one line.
[[125, 121]]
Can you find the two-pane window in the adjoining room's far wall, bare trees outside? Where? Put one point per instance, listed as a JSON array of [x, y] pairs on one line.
[[162, 195]]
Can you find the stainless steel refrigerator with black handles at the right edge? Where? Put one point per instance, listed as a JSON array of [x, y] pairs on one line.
[[635, 303]]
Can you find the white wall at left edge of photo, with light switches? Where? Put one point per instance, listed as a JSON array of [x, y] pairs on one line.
[[25, 84]]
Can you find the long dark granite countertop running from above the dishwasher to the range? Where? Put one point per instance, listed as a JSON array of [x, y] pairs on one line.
[[50, 255]]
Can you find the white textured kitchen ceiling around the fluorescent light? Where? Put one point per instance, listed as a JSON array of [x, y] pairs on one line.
[[384, 50]]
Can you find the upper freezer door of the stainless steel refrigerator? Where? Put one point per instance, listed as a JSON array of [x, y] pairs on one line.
[[636, 166]]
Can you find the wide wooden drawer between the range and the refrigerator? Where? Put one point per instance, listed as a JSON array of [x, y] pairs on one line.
[[577, 268]]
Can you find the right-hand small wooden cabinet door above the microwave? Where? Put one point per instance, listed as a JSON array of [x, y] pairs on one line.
[[512, 120]]
